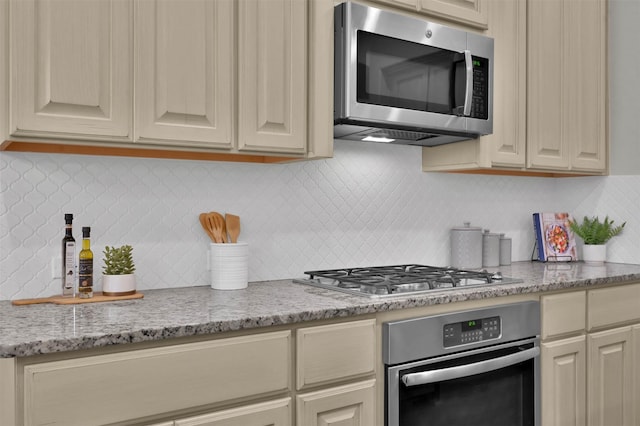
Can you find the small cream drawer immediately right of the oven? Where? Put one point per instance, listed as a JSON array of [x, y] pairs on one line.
[[563, 313]]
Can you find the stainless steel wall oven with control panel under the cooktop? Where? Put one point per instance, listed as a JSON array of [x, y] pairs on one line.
[[471, 368]]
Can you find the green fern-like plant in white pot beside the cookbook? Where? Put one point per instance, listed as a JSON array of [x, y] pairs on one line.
[[595, 235]]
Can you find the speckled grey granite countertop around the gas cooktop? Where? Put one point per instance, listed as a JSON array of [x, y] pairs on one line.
[[163, 314]]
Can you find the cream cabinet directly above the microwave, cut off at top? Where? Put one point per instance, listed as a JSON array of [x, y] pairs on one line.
[[467, 12]]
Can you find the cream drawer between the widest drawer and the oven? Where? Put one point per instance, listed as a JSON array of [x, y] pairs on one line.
[[334, 352]]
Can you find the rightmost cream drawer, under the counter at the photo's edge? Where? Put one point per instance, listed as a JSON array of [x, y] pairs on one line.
[[616, 305]]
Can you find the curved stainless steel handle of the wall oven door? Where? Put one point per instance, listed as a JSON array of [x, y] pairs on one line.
[[425, 377]]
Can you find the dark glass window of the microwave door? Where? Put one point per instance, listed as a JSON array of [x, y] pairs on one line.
[[408, 75]]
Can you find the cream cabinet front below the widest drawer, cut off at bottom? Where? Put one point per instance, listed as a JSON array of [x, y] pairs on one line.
[[272, 413]]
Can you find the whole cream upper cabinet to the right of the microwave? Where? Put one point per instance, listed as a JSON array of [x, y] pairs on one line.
[[550, 95]]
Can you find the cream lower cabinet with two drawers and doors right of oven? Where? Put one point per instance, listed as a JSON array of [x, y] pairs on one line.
[[590, 357]]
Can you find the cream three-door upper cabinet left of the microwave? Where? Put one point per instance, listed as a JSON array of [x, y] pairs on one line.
[[223, 76]]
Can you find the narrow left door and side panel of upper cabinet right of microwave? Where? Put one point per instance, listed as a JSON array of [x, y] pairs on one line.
[[506, 147]]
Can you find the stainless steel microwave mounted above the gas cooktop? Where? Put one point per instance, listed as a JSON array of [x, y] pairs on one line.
[[405, 80]]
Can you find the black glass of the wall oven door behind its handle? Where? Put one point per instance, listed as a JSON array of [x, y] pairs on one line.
[[502, 397]]
